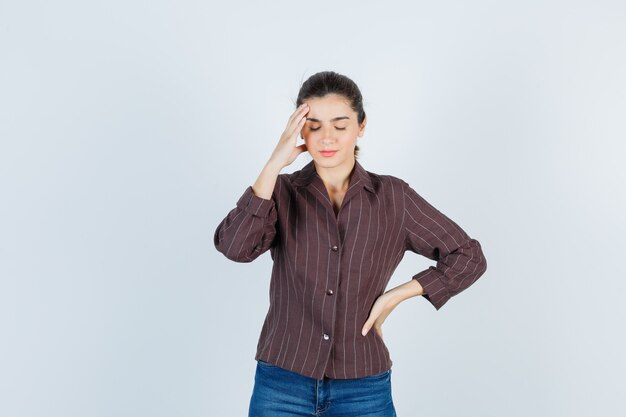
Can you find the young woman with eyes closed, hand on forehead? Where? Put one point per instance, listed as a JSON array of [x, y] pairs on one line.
[[336, 233]]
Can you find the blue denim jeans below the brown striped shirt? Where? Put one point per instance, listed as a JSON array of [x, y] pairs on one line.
[[279, 392]]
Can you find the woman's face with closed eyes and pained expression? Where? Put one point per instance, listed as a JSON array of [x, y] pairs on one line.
[[331, 131]]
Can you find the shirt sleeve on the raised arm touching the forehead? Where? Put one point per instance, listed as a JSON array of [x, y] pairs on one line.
[[249, 229]]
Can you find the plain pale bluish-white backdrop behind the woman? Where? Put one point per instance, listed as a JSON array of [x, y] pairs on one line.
[[130, 128]]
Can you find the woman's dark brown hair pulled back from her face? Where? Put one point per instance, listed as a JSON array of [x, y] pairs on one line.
[[330, 82]]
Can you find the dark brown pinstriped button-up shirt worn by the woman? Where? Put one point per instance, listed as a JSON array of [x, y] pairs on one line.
[[328, 269]]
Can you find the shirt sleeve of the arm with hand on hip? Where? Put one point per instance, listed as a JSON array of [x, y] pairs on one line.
[[428, 232]]
